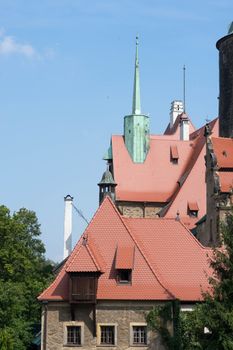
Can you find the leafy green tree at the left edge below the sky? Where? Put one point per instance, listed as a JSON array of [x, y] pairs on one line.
[[24, 273]]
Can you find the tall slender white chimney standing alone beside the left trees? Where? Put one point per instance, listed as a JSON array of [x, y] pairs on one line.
[[68, 226]]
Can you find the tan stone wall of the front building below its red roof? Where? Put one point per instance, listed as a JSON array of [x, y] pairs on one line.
[[121, 314]]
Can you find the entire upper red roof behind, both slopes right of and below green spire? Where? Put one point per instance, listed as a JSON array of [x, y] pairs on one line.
[[160, 180]]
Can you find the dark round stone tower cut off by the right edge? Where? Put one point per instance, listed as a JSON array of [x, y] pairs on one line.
[[225, 47]]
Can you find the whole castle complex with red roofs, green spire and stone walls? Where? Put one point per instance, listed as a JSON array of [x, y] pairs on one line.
[[138, 250]]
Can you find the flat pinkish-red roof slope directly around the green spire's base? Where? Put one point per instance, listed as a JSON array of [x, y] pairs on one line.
[[155, 180]]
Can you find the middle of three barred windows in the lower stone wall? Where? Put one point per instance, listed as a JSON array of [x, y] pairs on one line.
[[107, 334]]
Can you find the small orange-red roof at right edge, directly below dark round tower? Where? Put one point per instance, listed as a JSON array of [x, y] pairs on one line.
[[223, 150]]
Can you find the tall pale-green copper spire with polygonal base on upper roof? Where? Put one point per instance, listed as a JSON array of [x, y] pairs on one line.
[[136, 125]]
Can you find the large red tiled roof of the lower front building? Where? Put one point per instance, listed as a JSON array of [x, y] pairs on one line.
[[159, 273]]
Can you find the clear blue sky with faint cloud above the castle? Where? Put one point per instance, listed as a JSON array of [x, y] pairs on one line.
[[66, 77]]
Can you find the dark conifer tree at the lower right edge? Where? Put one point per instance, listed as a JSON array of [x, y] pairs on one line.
[[215, 314]]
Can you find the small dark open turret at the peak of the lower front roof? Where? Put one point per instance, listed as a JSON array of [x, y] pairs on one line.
[[106, 186]]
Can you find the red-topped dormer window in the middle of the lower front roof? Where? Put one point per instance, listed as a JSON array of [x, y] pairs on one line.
[[124, 264]]
